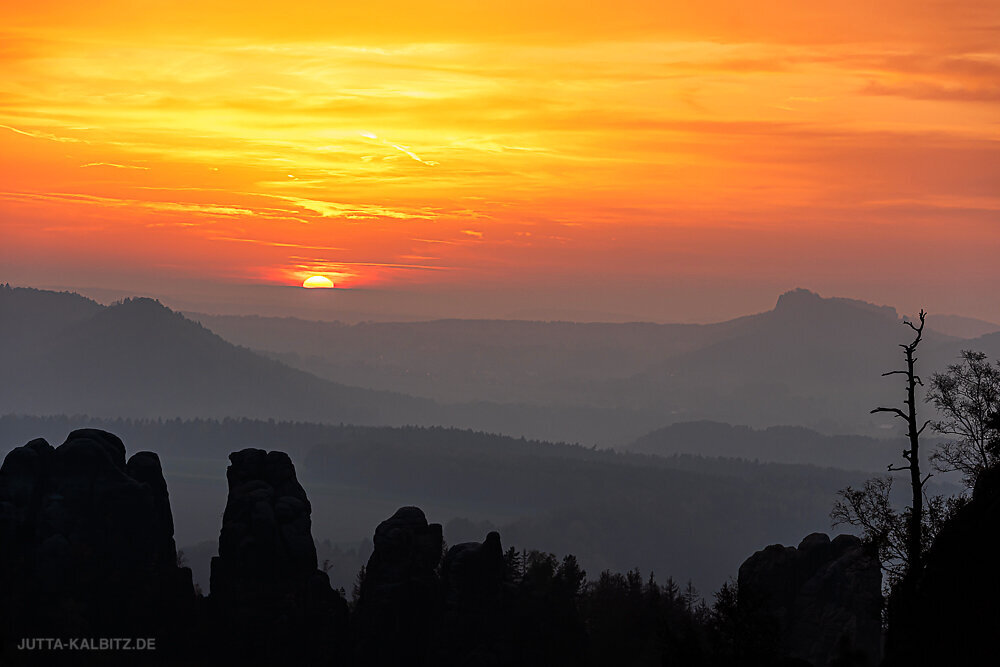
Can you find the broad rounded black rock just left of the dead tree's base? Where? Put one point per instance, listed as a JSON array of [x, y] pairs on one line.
[[824, 597]]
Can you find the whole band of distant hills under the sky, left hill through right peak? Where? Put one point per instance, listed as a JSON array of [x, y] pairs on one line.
[[811, 361]]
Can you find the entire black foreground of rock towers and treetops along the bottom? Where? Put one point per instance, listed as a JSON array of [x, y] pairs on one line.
[[87, 550]]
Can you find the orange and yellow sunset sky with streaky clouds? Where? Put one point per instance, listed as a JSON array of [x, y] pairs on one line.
[[658, 159]]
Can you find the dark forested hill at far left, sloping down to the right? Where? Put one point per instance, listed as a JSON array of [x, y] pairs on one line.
[[138, 358]]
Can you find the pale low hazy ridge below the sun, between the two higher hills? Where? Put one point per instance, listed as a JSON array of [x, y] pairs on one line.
[[463, 360]]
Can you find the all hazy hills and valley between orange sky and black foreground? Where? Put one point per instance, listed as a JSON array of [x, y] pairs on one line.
[[695, 444]]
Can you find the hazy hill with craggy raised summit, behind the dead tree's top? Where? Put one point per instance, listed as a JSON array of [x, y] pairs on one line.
[[811, 361]]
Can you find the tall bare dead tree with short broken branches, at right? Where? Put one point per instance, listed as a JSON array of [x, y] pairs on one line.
[[914, 539]]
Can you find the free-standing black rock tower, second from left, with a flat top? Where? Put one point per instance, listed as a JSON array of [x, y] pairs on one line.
[[269, 602]]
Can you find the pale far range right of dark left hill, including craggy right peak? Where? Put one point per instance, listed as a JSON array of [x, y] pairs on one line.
[[811, 361]]
